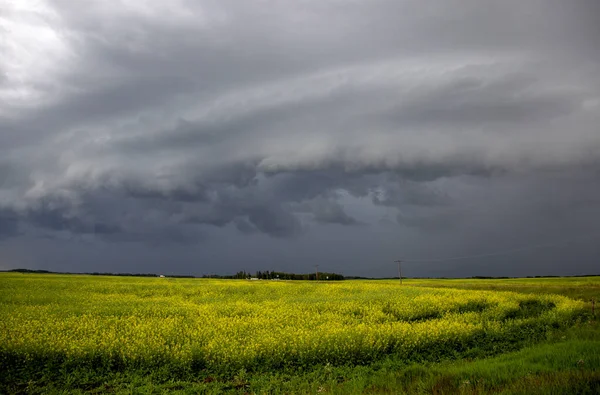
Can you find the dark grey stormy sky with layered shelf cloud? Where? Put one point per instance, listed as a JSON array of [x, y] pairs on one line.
[[199, 137]]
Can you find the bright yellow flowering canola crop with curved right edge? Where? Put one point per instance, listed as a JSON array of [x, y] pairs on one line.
[[222, 326]]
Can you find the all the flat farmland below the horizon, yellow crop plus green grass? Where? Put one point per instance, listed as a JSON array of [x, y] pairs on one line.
[[79, 333]]
